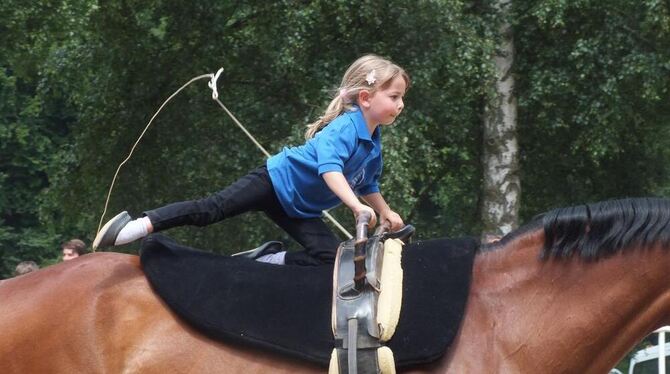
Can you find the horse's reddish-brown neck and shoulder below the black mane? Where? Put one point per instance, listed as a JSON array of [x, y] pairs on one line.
[[528, 315]]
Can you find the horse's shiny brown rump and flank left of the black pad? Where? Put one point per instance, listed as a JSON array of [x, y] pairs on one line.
[[97, 313]]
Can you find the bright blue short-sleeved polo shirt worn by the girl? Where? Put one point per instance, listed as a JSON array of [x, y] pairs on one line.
[[344, 145]]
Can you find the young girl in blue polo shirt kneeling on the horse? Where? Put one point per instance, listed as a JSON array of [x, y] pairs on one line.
[[340, 162]]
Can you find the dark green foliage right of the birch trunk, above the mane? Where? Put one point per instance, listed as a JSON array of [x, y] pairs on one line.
[[594, 89]]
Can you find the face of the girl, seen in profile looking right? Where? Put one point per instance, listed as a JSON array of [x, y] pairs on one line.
[[386, 104]]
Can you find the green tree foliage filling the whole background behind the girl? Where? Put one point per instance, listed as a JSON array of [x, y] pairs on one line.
[[81, 79]]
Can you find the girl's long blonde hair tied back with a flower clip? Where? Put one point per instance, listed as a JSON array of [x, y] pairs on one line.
[[356, 79]]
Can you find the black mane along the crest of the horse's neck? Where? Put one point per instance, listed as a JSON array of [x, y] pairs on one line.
[[601, 229]]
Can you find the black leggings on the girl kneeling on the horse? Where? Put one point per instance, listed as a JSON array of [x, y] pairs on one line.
[[253, 192]]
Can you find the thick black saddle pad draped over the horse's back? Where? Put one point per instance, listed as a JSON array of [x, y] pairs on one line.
[[287, 309]]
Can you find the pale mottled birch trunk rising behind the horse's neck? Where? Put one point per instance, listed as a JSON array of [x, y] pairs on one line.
[[502, 188]]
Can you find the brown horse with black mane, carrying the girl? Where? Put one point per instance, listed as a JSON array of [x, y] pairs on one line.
[[571, 292]]
